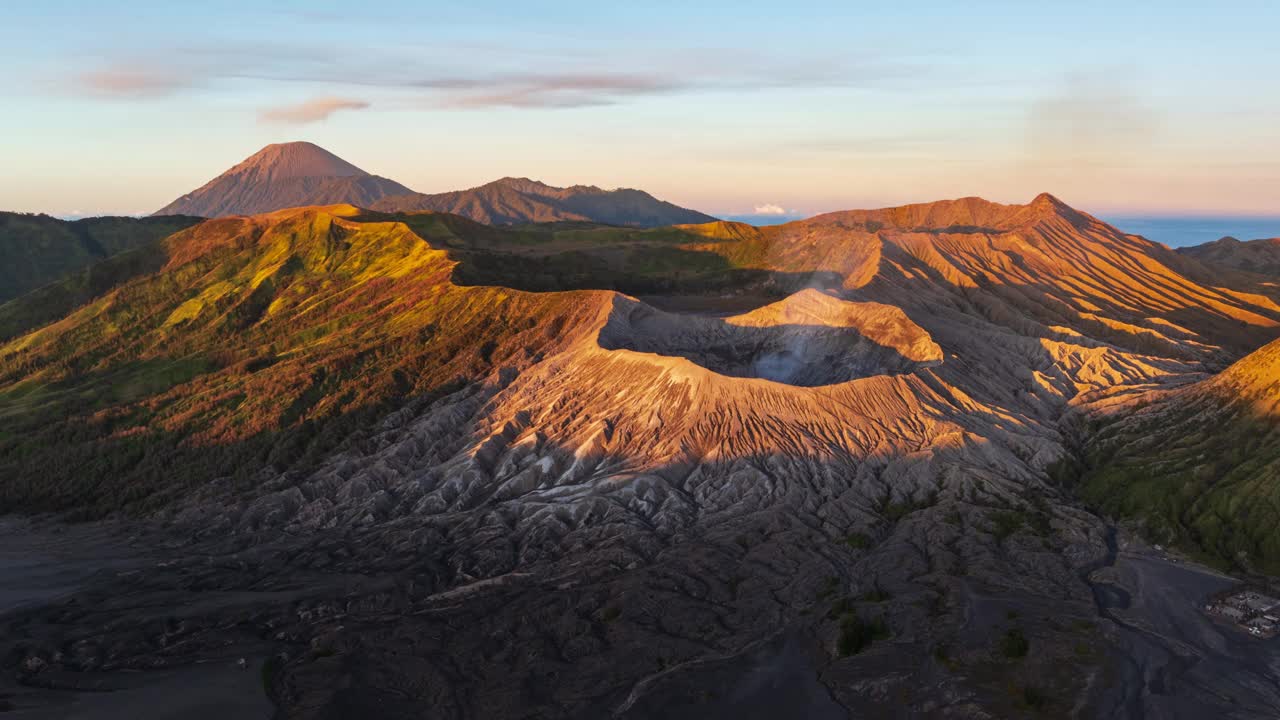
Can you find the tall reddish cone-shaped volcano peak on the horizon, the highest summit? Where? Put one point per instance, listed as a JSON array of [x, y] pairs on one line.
[[287, 175]]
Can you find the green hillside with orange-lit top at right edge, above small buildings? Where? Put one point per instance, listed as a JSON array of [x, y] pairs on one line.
[[1201, 470]]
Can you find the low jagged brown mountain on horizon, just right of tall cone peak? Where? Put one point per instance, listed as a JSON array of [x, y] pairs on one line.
[[522, 200]]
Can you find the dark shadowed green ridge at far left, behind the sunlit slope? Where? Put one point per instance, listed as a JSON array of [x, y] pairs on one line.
[[36, 250]]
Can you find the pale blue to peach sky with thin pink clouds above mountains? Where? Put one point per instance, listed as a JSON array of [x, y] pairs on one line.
[[732, 108]]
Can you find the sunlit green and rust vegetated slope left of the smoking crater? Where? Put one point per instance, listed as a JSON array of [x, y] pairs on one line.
[[263, 343]]
